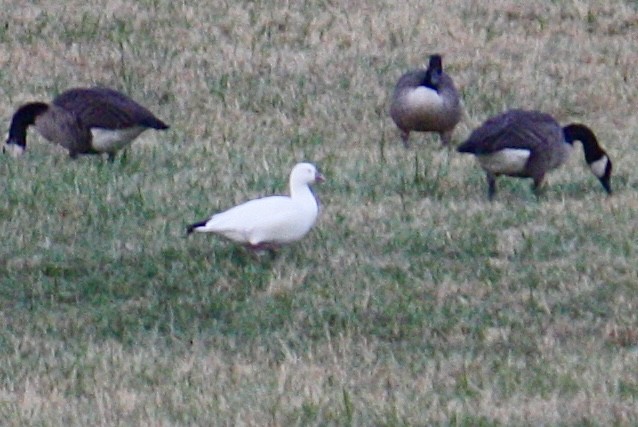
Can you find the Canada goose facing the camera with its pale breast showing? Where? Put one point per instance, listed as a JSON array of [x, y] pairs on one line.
[[426, 101]]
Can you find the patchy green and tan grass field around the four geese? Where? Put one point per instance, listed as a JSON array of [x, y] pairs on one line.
[[414, 301]]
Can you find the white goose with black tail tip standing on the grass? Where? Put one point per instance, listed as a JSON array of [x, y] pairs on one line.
[[271, 221]]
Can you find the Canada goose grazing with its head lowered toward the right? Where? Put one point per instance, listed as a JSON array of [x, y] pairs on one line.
[[528, 144]]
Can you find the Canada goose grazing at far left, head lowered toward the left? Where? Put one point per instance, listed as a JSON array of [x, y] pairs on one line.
[[84, 121]]
